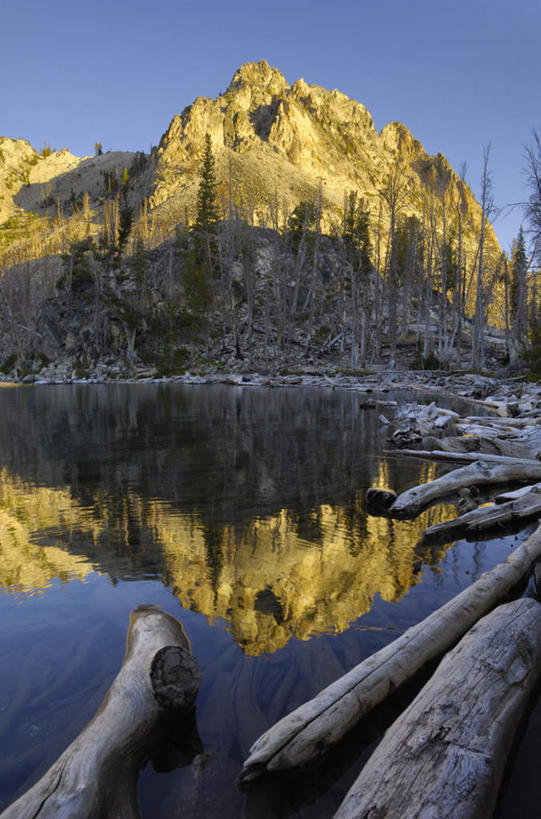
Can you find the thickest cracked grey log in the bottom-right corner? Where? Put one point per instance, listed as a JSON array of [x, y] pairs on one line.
[[445, 755]]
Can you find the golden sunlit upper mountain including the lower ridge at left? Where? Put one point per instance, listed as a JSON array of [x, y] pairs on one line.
[[275, 145]]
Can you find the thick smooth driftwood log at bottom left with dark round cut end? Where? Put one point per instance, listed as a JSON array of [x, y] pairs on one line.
[[96, 776]]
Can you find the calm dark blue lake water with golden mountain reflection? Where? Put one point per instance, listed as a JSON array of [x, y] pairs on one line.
[[240, 511]]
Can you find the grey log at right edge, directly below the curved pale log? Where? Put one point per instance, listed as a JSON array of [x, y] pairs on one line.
[[485, 518]]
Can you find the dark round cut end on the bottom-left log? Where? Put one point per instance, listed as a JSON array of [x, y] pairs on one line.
[[175, 677]]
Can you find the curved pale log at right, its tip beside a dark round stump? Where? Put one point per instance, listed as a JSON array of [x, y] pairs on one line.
[[480, 473]]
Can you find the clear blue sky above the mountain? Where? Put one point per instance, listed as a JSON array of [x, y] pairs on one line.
[[458, 74]]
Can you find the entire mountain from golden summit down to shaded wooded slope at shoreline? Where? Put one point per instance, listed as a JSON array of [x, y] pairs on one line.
[[125, 279]]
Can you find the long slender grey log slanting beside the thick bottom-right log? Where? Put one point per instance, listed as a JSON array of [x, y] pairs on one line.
[[321, 722]]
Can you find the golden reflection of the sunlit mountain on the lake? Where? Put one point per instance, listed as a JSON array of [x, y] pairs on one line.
[[275, 578]]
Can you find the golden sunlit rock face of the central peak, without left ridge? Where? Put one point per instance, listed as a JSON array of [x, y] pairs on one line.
[[275, 144]]
